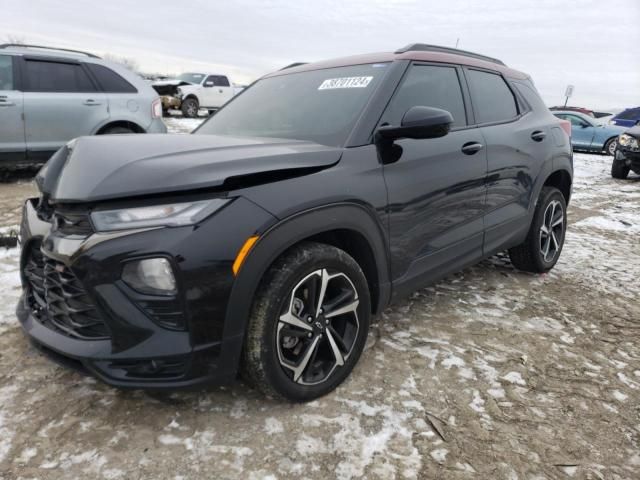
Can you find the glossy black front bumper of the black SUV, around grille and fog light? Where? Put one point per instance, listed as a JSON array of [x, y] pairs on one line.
[[139, 351]]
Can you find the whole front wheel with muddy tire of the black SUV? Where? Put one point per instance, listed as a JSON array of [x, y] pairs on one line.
[[308, 325]]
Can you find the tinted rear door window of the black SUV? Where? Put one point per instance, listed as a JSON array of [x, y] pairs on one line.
[[492, 99]]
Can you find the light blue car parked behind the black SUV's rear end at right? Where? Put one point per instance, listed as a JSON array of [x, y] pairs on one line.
[[588, 135]]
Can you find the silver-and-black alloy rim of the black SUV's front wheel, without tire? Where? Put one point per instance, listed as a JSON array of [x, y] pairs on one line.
[[318, 328]]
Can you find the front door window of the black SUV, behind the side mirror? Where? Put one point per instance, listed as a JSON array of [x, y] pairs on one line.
[[428, 86]]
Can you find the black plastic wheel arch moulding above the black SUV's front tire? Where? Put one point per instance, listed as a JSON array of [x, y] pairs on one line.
[[352, 227]]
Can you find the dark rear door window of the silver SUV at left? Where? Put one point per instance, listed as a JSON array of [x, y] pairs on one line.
[[50, 76]]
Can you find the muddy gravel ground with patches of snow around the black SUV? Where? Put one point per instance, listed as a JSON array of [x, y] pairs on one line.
[[491, 373]]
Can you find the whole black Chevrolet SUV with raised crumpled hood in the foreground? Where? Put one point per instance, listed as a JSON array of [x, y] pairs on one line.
[[266, 240]]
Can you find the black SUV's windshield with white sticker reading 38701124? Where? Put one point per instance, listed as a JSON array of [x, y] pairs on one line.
[[320, 106]]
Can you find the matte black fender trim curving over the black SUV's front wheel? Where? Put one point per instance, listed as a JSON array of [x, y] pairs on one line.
[[288, 232]]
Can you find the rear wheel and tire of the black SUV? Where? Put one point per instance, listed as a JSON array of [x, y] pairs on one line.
[[542, 247]]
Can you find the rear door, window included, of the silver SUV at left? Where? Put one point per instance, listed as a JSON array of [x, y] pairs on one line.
[[61, 102]]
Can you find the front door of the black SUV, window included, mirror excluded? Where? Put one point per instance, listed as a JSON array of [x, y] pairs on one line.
[[436, 188]]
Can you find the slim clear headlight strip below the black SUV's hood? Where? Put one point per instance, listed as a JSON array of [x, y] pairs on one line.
[[171, 215]]
